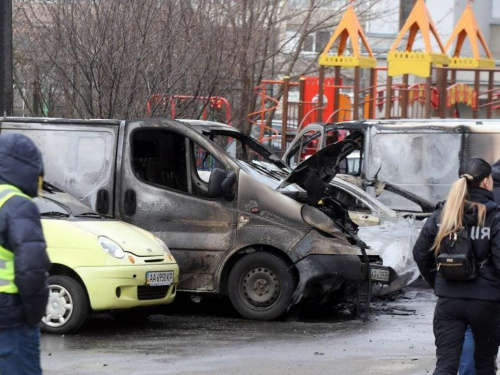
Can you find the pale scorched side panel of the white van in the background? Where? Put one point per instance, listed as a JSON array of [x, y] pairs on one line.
[[423, 161]]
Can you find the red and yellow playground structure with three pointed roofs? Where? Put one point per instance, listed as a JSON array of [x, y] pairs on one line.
[[432, 91]]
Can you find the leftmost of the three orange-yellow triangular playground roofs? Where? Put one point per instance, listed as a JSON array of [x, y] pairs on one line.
[[349, 27]]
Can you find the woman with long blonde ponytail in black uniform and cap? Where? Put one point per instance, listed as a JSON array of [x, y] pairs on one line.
[[474, 303]]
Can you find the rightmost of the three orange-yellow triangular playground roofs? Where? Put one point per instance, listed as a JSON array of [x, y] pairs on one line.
[[467, 26]]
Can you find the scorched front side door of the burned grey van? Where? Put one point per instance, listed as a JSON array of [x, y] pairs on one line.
[[165, 176]]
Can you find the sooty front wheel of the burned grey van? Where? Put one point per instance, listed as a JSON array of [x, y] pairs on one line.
[[261, 286]]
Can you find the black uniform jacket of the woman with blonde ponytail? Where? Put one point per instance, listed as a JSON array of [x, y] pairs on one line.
[[485, 242]]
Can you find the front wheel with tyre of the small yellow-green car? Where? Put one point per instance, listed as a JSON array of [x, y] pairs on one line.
[[67, 307]]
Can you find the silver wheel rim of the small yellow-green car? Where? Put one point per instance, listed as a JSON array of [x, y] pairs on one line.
[[59, 308]]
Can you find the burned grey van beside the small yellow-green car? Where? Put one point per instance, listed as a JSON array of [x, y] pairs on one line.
[[229, 233]]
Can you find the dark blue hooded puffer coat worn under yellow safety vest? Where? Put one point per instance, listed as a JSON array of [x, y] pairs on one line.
[[21, 233]]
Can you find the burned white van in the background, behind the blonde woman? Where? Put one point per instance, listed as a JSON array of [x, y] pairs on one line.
[[420, 156]]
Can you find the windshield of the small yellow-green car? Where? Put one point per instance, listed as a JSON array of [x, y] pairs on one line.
[[54, 202]]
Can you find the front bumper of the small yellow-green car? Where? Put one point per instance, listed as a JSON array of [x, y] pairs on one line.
[[123, 287]]
